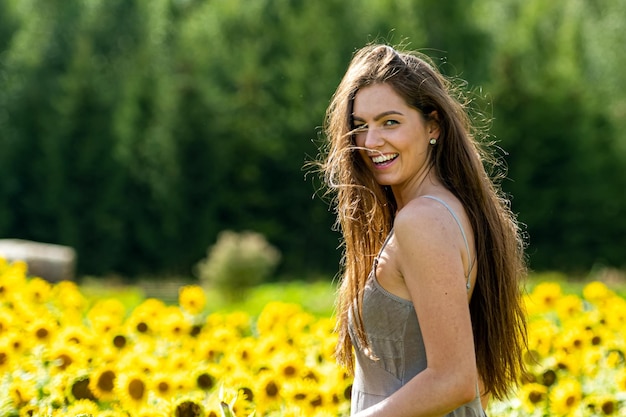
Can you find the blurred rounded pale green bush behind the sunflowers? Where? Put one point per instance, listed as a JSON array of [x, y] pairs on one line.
[[237, 262]]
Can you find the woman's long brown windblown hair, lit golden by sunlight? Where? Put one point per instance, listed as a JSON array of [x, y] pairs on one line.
[[365, 210]]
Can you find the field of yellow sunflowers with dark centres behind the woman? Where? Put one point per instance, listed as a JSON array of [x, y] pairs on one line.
[[62, 354]]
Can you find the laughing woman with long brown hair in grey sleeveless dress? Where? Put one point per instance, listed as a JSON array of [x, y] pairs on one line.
[[430, 299]]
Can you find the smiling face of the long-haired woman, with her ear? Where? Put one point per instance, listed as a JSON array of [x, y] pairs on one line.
[[393, 137]]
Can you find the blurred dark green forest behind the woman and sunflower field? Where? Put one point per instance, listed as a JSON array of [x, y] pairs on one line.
[[136, 131]]
